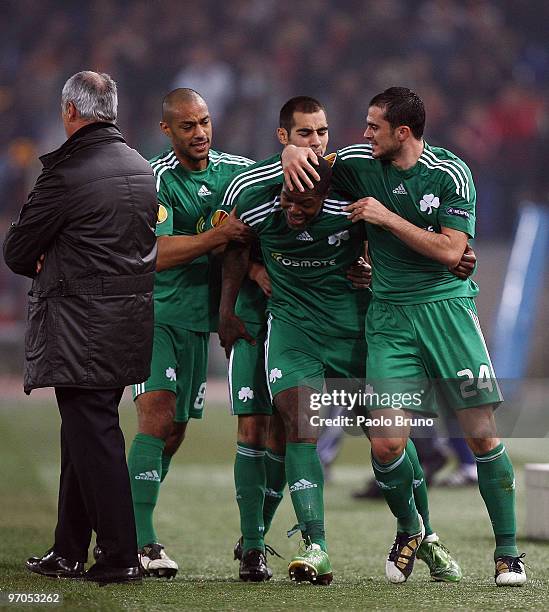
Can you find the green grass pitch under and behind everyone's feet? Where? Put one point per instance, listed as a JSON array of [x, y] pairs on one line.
[[197, 520]]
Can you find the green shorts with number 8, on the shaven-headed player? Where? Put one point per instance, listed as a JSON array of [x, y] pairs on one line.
[[179, 364]]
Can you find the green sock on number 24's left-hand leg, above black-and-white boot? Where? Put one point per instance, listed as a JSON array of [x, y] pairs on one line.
[[395, 480]]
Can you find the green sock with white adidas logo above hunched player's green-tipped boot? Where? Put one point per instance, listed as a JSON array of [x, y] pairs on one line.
[[306, 480]]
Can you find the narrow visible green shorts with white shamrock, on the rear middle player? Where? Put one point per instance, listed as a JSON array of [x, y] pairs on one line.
[[247, 383]]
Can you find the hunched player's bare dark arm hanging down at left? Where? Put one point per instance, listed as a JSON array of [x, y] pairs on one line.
[[235, 268]]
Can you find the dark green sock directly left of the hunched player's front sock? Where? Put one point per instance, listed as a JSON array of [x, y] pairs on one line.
[[249, 480]]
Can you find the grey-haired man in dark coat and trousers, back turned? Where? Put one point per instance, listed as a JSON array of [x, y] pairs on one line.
[[86, 238]]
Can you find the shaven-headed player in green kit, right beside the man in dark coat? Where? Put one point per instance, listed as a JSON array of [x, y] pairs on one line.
[[190, 176]]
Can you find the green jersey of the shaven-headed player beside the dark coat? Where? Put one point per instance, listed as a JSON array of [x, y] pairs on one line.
[[183, 296]]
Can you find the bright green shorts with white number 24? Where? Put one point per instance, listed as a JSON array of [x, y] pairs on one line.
[[436, 348]]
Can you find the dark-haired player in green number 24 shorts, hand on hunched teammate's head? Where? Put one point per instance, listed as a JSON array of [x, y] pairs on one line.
[[422, 323]]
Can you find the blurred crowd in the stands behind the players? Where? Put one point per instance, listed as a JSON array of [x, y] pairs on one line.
[[482, 67]]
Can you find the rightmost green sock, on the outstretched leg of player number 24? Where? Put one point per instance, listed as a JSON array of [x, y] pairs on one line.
[[496, 481]]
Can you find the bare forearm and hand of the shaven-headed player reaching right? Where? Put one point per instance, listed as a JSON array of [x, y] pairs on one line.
[[177, 250]]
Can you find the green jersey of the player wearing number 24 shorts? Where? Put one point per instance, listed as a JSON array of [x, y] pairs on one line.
[[437, 191]]
